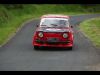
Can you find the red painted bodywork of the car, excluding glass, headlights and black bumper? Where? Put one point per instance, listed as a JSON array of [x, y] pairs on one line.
[[54, 35]]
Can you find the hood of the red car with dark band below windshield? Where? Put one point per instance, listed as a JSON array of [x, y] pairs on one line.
[[52, 30]]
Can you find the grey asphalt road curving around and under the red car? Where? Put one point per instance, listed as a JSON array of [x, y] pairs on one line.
[[18, 54]]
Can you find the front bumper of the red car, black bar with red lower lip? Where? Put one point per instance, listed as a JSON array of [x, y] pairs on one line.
[[52, 43]]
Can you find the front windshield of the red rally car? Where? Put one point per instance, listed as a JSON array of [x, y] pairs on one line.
[[54, 22]]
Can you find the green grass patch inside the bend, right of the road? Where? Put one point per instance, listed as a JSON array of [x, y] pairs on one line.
[[91, 27]]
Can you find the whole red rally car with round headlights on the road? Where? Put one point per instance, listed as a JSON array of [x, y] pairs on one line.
[[54, 31]]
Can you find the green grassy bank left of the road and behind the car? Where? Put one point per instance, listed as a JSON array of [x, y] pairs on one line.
[[11, 19]]
